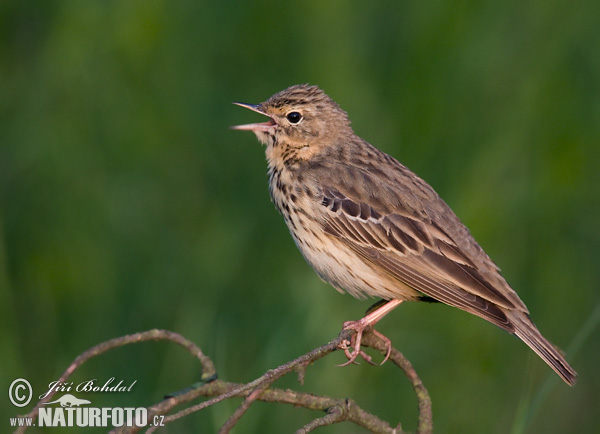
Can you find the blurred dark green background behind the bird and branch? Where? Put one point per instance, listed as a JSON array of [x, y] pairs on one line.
[[127, 204]]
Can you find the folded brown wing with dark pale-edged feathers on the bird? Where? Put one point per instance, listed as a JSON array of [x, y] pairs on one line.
[[417, 252]]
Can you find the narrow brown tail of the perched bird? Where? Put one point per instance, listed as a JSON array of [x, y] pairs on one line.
[[527, 331]]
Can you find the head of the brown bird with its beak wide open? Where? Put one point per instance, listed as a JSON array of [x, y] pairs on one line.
[[300, 116]]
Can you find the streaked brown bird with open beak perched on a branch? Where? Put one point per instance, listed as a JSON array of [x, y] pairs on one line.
[[371, 227]]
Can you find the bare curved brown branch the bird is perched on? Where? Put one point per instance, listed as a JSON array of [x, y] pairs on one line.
[[337, 410]]
